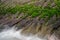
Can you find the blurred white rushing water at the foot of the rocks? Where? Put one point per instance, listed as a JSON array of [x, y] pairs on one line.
[[12, 34]]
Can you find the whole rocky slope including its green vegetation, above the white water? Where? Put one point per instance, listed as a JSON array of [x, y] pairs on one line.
[[40, 17]]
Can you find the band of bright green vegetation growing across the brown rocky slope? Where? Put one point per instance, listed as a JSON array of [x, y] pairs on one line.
[[32, 10]]
